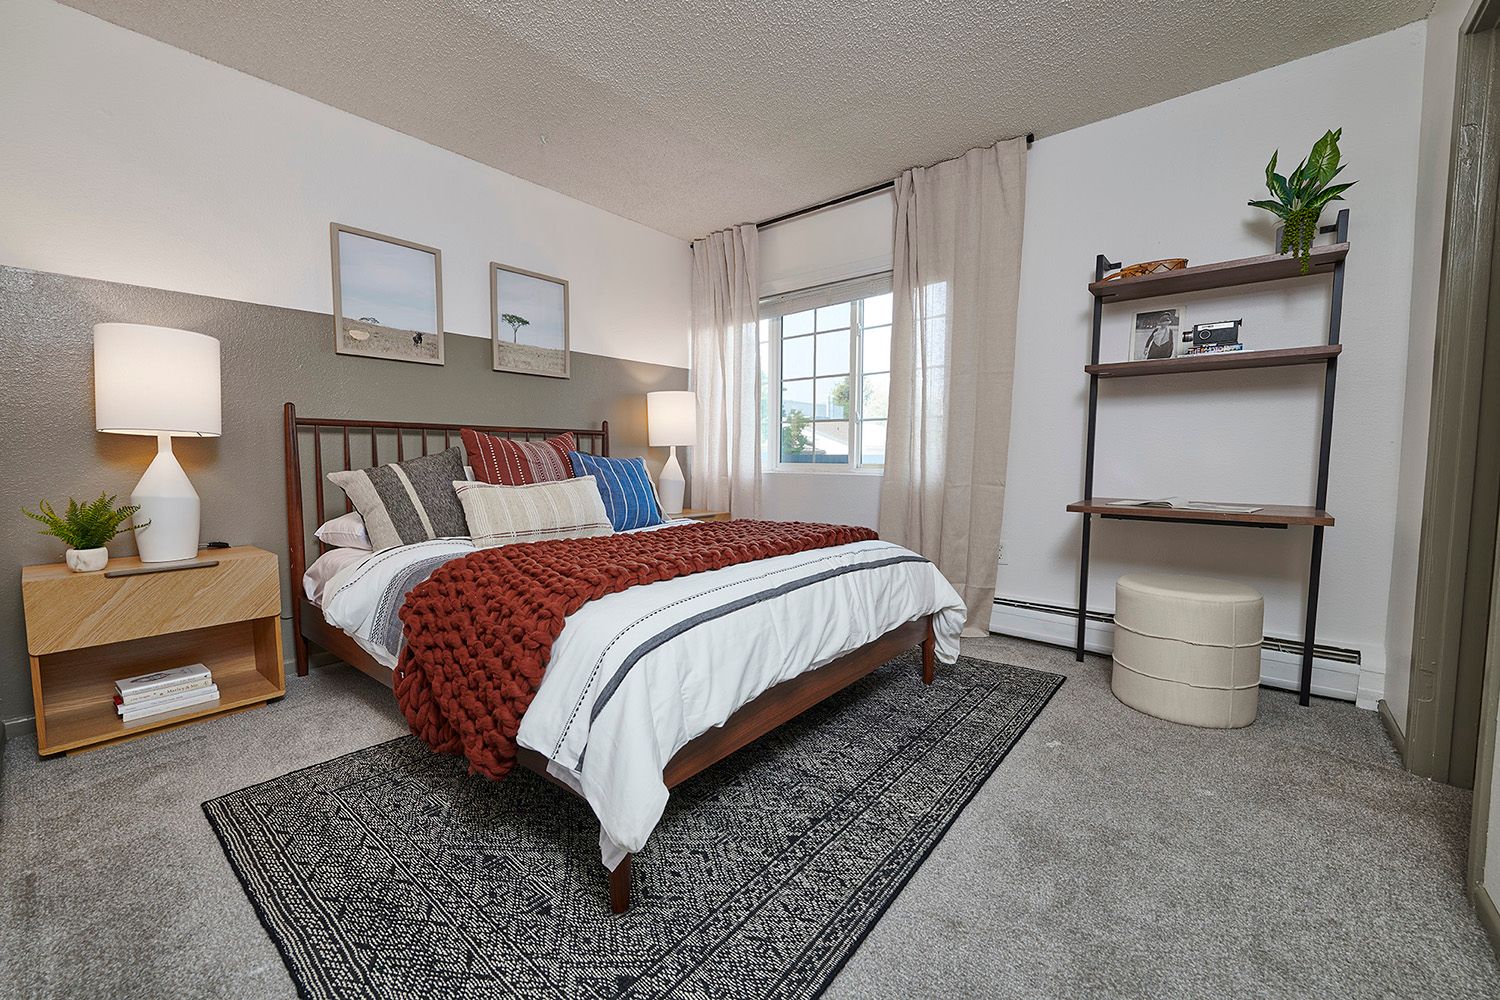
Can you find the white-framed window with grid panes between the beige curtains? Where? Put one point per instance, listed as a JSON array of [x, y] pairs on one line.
[[826, 377]]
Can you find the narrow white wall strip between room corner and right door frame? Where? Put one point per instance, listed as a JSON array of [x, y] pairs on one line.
[[1439, 79]]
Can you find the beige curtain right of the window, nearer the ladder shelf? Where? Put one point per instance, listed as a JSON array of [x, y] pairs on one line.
[[956, 281]]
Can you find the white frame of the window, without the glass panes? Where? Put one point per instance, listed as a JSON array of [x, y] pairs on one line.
[[794, 302]]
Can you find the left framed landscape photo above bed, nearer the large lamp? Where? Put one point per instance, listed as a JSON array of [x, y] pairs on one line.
[[388, 298]]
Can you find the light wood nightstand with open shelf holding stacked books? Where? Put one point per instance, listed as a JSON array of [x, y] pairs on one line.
[[88, 630]]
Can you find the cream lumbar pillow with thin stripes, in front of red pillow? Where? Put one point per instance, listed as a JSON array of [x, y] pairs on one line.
[[505, 515]]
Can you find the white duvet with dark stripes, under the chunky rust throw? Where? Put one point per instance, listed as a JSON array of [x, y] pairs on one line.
[[640, 674]]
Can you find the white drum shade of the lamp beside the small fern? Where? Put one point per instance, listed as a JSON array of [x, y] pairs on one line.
[[157, 382]]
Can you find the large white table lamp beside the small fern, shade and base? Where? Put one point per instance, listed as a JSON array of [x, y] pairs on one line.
[[164, 383]]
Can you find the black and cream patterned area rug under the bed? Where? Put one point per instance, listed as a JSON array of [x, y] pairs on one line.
[[392, 873]]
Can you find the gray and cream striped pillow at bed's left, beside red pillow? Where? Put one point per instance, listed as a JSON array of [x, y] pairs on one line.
[[409, 501]]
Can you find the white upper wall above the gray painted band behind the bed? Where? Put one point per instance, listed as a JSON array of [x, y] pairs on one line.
[[131, 161]]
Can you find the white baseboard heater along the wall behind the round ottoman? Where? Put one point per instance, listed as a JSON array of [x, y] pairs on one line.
[[1336, 669]]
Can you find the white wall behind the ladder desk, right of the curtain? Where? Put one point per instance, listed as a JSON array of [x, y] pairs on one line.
[[1172, 181]]
